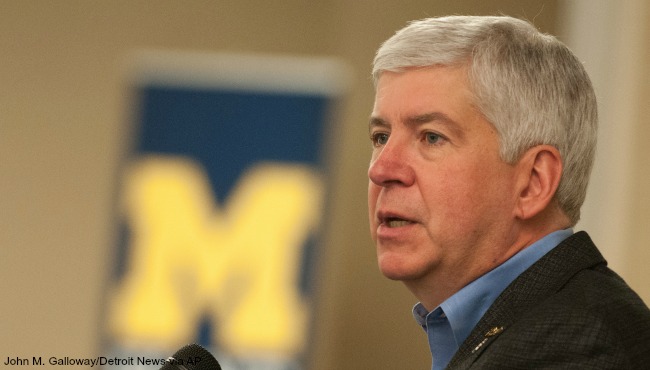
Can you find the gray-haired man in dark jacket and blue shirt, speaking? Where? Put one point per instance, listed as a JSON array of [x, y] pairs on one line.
[[484, 133]]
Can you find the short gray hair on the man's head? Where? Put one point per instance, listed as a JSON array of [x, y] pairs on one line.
[[529, 85]]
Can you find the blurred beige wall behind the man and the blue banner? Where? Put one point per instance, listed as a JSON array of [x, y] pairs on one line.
[[65, 126]]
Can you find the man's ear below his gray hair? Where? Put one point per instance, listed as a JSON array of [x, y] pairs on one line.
[[539, 172]]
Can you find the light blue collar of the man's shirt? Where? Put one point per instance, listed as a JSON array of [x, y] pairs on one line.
[[465, 308]]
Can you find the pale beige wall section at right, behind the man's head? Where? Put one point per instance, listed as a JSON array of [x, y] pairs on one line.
[[612, 38]]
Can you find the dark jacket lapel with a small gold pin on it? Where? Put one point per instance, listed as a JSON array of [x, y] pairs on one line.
[[541, 280]]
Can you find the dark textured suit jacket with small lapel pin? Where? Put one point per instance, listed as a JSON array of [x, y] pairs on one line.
[[567, 311]]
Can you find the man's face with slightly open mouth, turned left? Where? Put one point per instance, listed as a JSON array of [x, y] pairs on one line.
[[441, 201]]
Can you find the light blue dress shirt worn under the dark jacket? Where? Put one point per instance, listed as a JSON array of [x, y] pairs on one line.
[[449, 324]]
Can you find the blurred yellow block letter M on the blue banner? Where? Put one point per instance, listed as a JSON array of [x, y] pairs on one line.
[[239, 264]]
